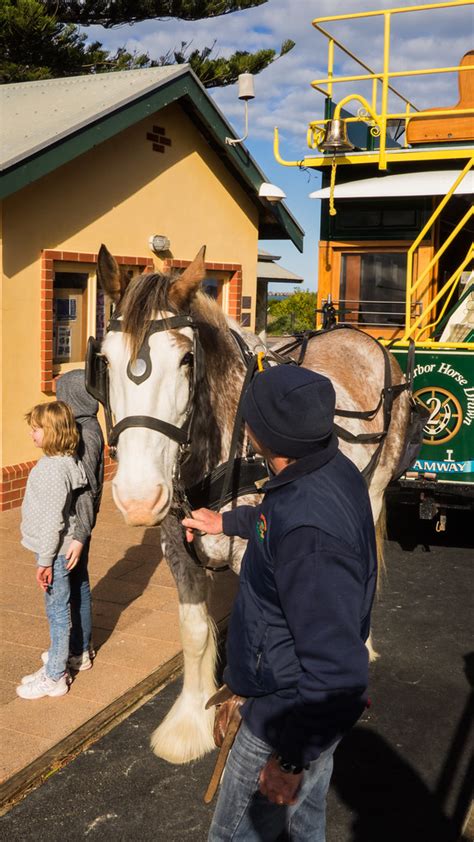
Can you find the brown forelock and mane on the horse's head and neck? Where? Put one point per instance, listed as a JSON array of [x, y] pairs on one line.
[[145, 298]]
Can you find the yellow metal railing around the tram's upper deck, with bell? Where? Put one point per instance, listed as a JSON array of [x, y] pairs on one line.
[[376, 118]]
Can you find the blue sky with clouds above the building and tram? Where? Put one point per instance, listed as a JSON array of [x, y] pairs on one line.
[[284, 97]]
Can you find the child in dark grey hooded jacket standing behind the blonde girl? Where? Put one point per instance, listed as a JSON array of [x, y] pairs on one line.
[[71, 389]]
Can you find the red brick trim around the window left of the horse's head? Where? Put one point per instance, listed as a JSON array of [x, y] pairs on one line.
[[48, 258]]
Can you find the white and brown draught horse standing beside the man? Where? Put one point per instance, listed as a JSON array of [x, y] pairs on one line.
[[150, 352]]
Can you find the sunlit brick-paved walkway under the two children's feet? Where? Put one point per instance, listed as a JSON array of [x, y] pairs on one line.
[[136, 636]]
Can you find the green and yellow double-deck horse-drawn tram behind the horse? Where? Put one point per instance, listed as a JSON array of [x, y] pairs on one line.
[[396, 248]]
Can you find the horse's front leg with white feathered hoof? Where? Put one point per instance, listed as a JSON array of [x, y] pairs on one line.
[[186, 732]]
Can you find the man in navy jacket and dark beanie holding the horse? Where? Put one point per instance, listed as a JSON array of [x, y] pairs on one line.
[[296, 639]]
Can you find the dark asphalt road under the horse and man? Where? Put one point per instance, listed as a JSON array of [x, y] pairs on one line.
[[401, 775]]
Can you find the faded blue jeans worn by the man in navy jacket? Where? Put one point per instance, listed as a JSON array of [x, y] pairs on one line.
[[244, 815]]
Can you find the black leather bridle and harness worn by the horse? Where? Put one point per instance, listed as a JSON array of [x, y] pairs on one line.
[[238, 476]]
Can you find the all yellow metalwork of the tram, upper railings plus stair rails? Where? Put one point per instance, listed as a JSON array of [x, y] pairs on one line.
[[418, 326]]
